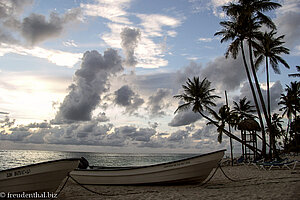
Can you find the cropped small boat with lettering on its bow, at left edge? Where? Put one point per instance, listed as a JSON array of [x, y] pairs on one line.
[[40, 177]]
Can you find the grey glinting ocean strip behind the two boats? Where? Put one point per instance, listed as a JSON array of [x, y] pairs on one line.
[[16, 158]]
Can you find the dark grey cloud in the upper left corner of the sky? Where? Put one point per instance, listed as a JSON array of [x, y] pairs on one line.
[[36, 29]]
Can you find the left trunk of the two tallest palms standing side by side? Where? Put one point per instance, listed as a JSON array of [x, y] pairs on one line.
[[263, 134]]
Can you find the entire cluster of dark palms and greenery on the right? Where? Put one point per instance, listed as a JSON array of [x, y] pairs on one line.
[[243, 29]]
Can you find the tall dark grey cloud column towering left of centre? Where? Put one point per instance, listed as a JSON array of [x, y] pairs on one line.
[[90, 81]]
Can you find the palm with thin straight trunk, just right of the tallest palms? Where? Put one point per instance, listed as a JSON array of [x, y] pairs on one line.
[[270, 47]]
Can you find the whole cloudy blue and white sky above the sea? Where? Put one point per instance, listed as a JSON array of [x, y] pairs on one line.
[[100, 75]]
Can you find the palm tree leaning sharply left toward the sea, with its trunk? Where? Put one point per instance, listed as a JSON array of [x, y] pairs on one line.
[[197, 95]]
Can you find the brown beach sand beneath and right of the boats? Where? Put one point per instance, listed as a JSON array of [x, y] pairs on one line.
[[251, 183]]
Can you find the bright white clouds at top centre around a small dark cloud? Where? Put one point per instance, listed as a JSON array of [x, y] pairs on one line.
[[149, 53]]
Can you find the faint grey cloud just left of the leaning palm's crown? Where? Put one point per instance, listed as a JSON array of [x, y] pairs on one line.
[[158, 102]]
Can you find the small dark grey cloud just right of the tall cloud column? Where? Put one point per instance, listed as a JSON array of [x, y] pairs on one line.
[[127, 98]]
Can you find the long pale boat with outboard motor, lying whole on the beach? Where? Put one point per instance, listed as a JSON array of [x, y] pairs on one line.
[[189, 170]]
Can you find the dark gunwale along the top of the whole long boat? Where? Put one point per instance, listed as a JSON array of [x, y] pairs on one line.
[[146, 166]]
